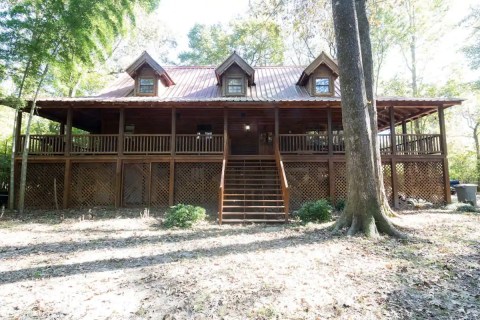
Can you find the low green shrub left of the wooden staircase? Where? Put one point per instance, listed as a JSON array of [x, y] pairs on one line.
[[183, 216]]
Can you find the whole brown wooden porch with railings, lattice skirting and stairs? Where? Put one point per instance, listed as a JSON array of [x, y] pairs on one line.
[[223, 159]]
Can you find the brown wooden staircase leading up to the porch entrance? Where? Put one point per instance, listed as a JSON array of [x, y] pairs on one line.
[[252, 192]]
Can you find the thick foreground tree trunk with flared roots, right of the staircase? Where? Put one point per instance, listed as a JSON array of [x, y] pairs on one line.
[[364, 211]]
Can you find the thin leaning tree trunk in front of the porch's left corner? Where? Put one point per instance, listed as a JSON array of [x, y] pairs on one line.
[[23, 172]]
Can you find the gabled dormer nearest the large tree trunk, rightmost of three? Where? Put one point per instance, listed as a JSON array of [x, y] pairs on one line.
[[319, 77]]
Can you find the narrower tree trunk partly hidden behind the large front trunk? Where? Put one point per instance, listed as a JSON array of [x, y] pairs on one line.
[[367, 62]]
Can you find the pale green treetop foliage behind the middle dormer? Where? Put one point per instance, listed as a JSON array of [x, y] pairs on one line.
[[258, 42]]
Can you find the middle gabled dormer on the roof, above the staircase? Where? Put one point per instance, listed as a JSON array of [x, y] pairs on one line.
[[234, 75]]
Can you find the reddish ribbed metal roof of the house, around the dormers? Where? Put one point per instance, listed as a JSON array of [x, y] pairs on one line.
[[199, 84]]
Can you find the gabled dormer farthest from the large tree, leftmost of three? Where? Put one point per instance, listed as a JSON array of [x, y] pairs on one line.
[[148, 76]]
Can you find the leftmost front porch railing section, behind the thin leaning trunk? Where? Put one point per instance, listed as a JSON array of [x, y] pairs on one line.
[[44, 144]]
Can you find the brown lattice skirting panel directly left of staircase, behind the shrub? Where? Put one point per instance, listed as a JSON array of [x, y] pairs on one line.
[[198, 184]]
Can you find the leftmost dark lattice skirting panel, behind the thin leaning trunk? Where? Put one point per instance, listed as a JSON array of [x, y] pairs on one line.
[[42, 180]]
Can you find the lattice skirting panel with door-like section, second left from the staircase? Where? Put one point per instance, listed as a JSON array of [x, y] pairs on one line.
[[146, 184]]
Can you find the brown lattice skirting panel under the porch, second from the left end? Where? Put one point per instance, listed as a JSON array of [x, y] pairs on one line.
[[93, 185]]
